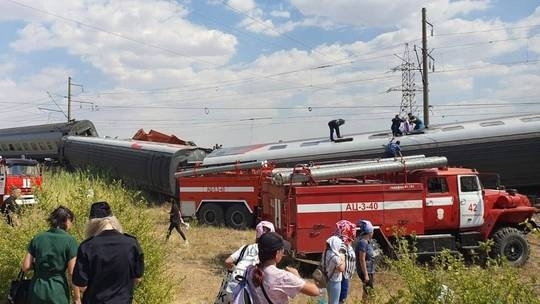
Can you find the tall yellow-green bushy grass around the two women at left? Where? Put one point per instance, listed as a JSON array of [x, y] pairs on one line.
[[77, 191]]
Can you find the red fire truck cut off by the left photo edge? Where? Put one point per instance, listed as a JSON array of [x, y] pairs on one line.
[[19, 173]]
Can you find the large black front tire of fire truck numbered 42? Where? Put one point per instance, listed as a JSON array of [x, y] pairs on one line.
[[511, 243]]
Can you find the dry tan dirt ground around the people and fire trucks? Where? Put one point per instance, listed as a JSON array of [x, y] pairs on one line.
[[197, 266]]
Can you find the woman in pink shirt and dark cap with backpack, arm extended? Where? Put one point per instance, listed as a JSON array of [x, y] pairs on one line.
[[265, 283]]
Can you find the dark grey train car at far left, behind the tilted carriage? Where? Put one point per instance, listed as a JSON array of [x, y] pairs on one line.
[[41, 141]]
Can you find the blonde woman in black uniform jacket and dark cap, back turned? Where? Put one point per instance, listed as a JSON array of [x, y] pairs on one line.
[[109, 263]]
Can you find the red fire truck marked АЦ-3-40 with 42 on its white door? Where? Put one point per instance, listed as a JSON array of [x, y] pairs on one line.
[[436, 208]]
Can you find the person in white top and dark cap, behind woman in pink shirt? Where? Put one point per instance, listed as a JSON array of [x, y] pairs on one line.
[[237, 263]]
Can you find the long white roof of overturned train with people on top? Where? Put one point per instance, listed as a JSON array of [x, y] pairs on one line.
[[496, 129]]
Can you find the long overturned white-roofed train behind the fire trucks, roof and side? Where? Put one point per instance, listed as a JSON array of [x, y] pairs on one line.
[[509, 146]]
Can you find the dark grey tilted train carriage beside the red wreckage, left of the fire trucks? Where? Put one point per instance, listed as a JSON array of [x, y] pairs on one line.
[[147, 165]]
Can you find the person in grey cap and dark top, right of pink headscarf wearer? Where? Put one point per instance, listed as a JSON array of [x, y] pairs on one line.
[[365, 253]]
